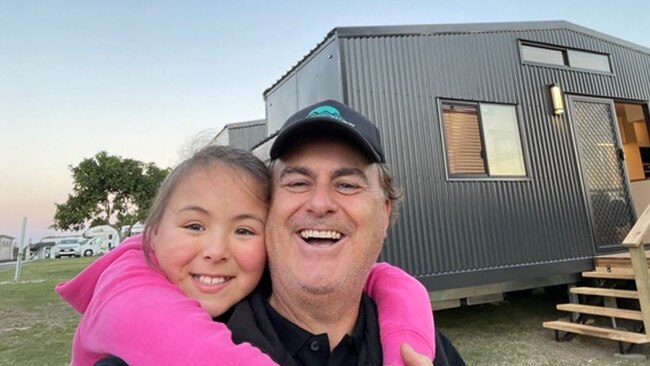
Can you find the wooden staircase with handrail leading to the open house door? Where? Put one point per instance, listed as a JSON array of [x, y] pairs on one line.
[[615, 269]]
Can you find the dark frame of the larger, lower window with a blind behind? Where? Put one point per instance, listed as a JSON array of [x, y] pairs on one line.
[[482, 177]]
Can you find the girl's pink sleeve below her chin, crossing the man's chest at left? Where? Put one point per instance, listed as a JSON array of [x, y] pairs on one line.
[[139, 316]]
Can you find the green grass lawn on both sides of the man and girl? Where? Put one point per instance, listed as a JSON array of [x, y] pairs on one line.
[[36, 327]]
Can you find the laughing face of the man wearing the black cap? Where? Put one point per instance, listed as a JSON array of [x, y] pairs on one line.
[[328, 218]]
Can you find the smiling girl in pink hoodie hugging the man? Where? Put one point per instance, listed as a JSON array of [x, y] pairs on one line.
[[152, 299]]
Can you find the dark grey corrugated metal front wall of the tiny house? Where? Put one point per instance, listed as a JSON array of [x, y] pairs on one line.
[[459, 226]]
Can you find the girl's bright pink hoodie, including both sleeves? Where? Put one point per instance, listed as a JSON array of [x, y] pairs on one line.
[[132, 311]]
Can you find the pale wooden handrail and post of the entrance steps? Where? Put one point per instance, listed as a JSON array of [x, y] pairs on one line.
[[633, 241]]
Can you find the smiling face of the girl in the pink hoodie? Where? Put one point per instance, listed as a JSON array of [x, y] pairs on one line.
[[210, 240]]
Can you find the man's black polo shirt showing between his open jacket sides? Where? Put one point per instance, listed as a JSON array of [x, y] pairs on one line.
[[314, 349]]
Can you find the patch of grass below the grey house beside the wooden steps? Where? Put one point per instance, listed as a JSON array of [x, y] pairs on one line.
[[510, 333]]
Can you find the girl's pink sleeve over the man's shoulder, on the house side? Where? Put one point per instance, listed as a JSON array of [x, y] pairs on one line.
[[404, 309]]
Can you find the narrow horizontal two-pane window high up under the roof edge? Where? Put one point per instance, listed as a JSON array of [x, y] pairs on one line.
[[559, 56]]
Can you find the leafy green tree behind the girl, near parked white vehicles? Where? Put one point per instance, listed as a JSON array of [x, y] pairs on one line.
[[108, 190]]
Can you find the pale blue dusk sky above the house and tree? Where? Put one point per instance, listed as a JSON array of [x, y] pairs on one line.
[[142, 79]]
